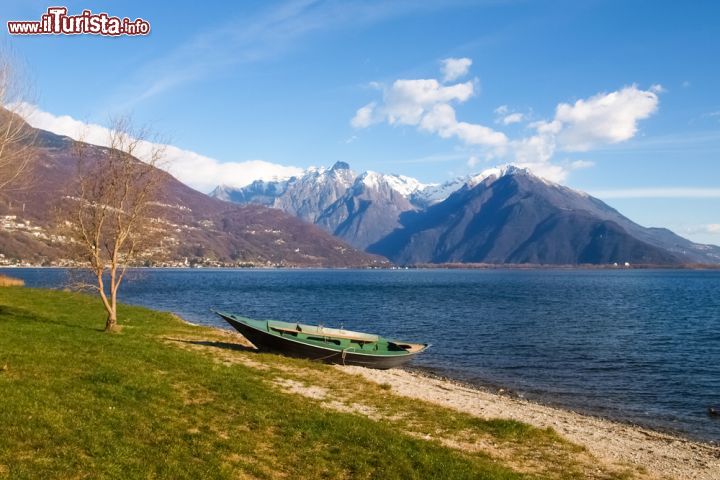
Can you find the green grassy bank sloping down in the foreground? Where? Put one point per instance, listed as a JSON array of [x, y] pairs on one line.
[[165, 399]]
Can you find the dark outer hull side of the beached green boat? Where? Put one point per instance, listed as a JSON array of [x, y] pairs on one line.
[[268, 342]]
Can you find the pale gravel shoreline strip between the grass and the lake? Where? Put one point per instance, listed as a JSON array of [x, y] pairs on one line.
[[655, 454]]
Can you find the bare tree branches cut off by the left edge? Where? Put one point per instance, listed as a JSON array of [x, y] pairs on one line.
[[16, 137]]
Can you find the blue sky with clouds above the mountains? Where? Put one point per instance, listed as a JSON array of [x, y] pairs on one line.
[[617, 98]]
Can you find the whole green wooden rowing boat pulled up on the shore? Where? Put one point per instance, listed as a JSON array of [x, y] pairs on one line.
[[330, 345]]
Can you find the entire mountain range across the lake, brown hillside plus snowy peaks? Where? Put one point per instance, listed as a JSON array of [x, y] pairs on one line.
[[336, 217]]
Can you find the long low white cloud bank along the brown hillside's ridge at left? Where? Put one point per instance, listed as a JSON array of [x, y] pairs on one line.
[[198, 171]]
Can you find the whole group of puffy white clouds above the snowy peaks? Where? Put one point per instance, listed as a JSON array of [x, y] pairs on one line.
[[602, 119]]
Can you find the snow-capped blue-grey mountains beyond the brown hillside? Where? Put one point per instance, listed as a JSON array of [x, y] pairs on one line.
[[502, 215]]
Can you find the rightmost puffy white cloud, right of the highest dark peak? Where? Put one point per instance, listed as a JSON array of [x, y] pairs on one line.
[[605, 118]]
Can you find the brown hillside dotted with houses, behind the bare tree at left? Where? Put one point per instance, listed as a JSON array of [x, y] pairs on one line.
[[203, 230]]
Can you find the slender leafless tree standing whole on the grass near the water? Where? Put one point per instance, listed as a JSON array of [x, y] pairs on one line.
[[114, 218]]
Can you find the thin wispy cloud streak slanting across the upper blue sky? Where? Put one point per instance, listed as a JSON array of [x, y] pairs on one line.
[[259, 36]]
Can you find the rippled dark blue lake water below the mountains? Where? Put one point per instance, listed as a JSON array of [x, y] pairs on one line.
[[636, 345]]
